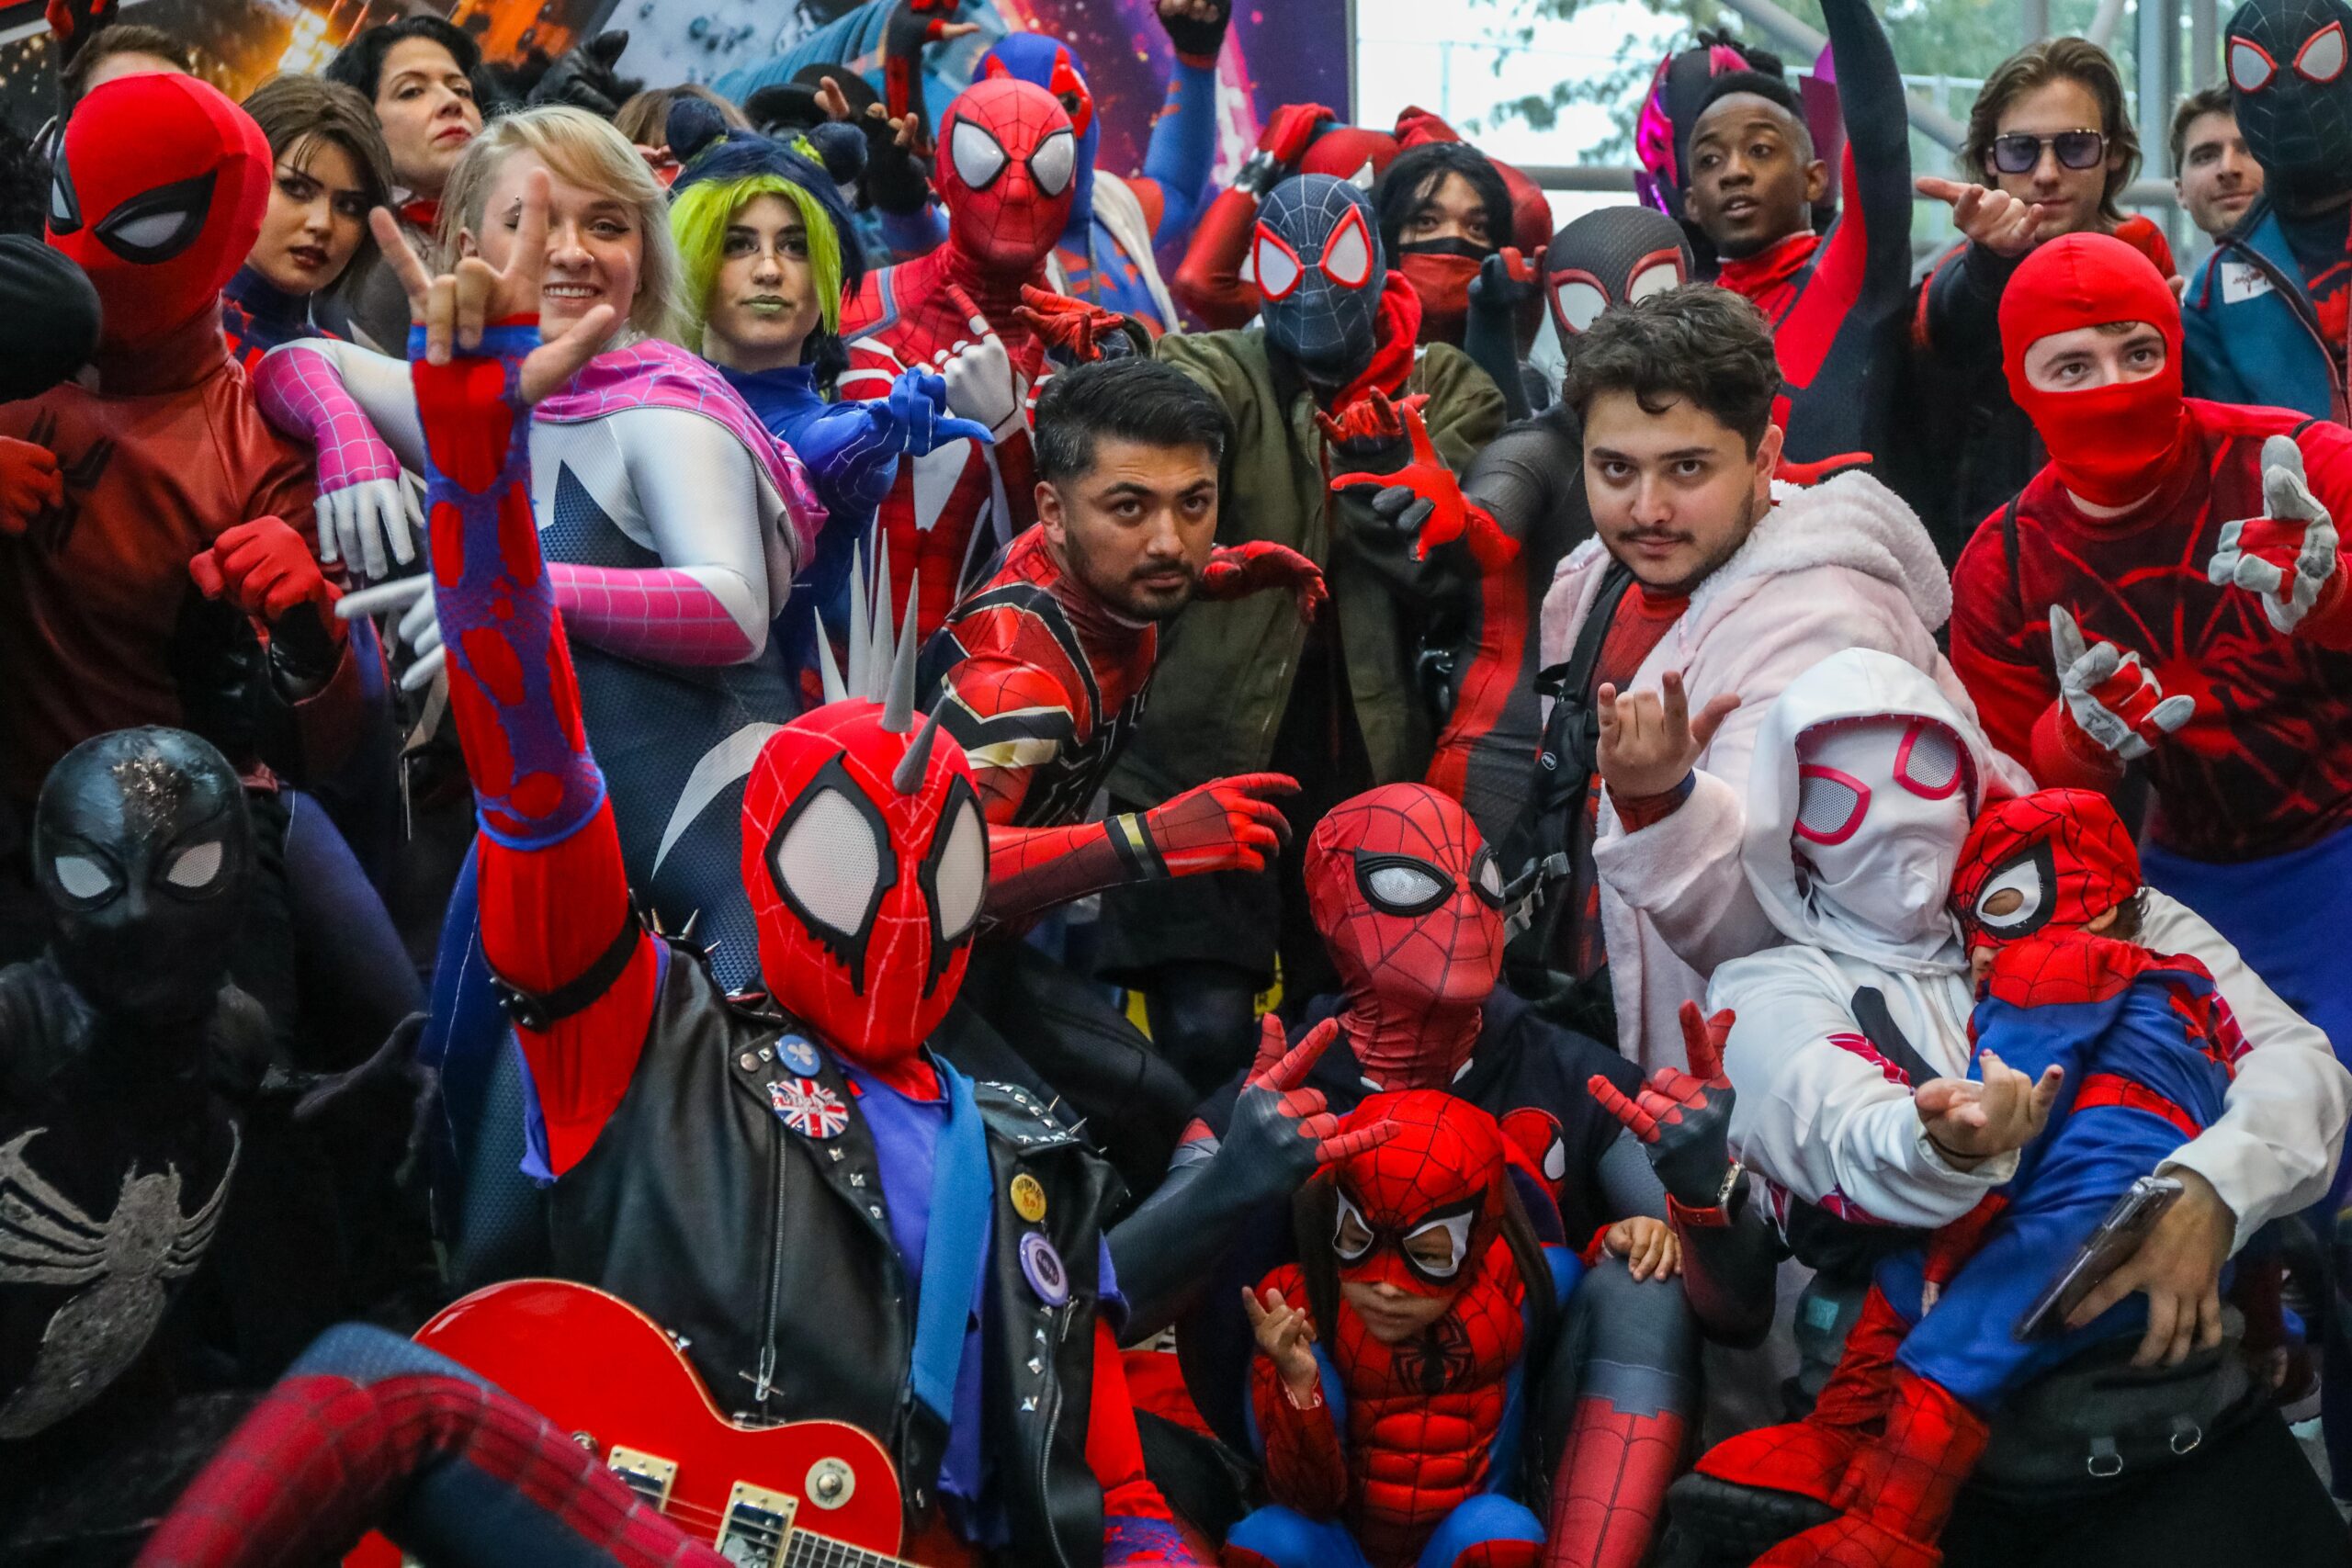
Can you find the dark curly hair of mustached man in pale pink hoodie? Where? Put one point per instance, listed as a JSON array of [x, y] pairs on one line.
[[1697, 344]]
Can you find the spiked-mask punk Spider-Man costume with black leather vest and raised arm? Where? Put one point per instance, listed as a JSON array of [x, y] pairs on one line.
[[808, 1123]]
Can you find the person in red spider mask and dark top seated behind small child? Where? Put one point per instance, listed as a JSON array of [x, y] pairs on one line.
[[1410, 904]]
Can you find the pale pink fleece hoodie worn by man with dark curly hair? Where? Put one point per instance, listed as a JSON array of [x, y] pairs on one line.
[[1840, 565]]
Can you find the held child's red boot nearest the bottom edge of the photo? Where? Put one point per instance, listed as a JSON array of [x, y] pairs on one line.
[[1899, 1489]]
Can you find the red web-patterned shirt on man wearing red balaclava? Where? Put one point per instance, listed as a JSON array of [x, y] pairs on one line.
[[2264, 763]]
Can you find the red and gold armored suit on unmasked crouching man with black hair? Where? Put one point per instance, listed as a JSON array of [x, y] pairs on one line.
[[1043, 685]]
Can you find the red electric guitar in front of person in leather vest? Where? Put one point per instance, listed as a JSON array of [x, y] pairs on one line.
[[791, 1496]]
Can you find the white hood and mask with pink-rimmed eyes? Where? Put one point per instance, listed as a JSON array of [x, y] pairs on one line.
[[1862, 793]]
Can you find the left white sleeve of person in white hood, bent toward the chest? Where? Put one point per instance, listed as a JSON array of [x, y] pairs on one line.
[[1824, 1120]]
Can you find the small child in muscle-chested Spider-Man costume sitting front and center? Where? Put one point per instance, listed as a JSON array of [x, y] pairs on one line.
[[1391, 1433]]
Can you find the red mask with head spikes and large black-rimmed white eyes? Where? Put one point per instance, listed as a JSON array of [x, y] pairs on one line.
[[867, 862]]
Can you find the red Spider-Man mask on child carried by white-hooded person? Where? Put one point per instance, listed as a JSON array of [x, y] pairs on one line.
[[2050, 859]]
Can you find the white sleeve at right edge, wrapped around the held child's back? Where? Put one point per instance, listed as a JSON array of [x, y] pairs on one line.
[[2283, 1123]]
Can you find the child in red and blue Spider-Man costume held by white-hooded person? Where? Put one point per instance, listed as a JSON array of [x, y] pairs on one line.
[[2047, 899]]
